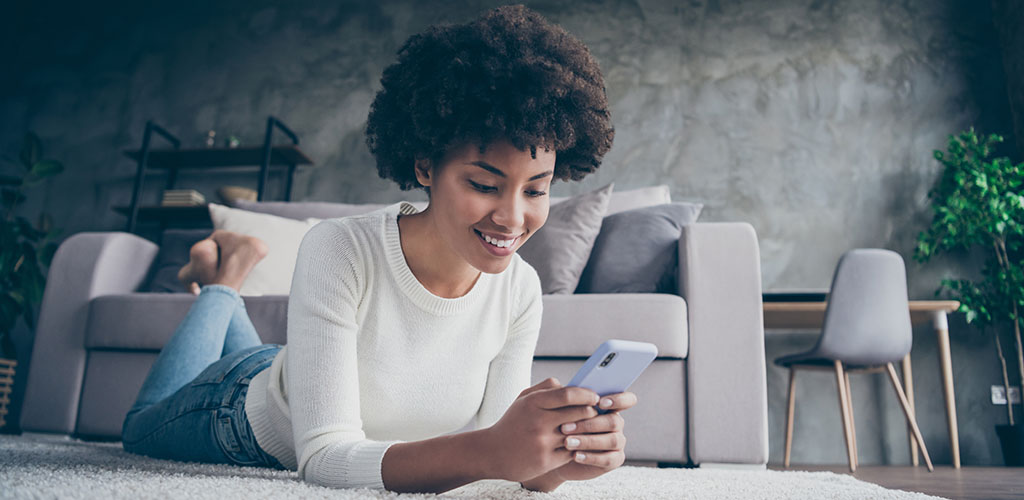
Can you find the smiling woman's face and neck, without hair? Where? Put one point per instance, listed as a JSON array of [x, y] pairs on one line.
[[483, 207]]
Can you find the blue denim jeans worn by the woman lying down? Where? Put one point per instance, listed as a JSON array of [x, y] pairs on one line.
[[192, 405]]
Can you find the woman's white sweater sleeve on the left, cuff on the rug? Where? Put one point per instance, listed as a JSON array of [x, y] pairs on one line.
[[322, 366]]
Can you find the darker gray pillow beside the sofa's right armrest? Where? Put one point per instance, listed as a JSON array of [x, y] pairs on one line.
[[637, 251]]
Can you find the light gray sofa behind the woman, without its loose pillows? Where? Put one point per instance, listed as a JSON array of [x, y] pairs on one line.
[[702, 402]]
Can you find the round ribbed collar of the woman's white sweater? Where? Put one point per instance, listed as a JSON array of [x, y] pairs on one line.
[[408, 282]]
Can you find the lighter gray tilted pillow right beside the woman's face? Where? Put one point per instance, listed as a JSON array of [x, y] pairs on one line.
[[561, 249]]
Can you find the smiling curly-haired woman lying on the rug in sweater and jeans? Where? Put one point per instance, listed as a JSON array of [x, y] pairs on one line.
[[406, 328]]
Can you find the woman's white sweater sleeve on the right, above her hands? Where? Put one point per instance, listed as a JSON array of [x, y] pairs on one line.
[[509, 372]]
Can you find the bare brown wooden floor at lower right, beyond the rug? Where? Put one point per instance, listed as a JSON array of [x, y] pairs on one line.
[[973, 483]]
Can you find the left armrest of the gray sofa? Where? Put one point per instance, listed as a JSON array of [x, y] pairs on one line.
[[87, 266]]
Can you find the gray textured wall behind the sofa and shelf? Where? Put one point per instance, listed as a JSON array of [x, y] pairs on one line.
[[815, 121]]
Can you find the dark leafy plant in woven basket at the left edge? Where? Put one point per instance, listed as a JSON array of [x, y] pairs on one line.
[[26, 252]]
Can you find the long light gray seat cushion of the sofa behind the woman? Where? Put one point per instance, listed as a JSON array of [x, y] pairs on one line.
[[573, 325]]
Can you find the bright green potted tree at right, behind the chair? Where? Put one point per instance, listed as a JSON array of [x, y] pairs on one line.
[[980, 201]]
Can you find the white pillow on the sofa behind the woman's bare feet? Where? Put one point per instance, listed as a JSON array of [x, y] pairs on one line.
[[273, 276]]
